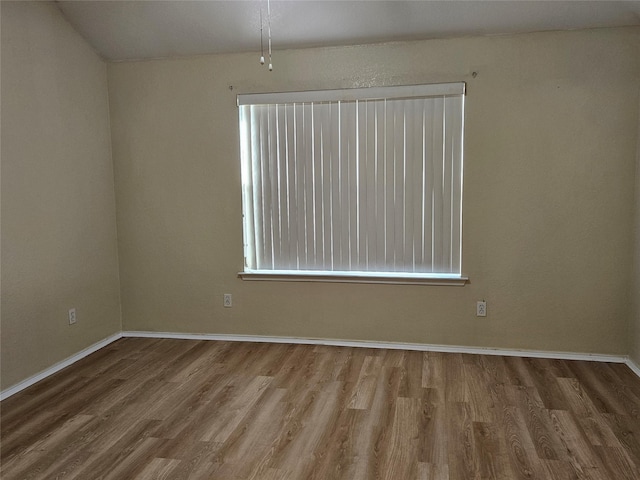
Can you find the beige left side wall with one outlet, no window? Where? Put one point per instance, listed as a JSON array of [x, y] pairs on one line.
[[58, 208]]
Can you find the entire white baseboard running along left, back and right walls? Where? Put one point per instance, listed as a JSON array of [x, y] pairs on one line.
[[319, 341]]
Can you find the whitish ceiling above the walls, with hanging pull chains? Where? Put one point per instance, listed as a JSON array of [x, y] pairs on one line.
[[124, 30]]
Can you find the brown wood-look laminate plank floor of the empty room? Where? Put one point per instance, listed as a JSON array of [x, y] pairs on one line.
[[177, 409]]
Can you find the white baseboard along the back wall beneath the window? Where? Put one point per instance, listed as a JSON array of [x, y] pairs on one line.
[[391, 345]]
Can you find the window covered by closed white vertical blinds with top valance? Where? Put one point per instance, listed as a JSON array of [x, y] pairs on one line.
[[351, 184]]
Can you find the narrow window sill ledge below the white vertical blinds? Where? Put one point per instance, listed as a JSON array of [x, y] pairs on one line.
[[356, 277]]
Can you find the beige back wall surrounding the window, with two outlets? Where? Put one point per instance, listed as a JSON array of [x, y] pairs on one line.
[[548, 195]]
